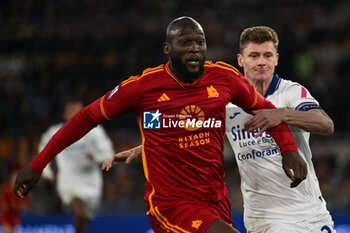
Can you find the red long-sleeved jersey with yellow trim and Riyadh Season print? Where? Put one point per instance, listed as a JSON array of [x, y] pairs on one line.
[[182, 127]]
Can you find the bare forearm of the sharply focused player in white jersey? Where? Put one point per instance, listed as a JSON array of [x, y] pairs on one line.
[[313, 121]]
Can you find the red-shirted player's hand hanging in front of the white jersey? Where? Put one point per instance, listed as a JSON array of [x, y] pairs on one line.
[[295, 167]]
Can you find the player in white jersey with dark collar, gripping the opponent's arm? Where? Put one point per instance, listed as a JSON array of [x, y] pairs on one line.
[[270, 205]]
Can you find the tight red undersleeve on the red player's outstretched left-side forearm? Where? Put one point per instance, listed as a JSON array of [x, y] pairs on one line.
[[79, 125]]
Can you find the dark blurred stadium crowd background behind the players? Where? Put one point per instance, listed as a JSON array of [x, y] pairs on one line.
[[51, 51]]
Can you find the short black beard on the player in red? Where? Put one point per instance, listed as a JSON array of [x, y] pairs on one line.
[[182, 73]]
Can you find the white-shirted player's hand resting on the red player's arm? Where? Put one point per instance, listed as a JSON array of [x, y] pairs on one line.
[[265, 118]]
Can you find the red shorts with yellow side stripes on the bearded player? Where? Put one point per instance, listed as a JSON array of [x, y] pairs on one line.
[[189, 216]]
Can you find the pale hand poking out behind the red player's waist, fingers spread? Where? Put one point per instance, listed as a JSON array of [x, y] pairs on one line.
[[125, 156]]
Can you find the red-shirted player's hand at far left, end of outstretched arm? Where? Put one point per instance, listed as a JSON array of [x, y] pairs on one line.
[[26, 179]]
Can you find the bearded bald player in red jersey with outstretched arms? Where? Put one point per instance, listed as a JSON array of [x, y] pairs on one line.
[[180, 107]]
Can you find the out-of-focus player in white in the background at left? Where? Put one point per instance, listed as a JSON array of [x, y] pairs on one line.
[[78, 178]]
